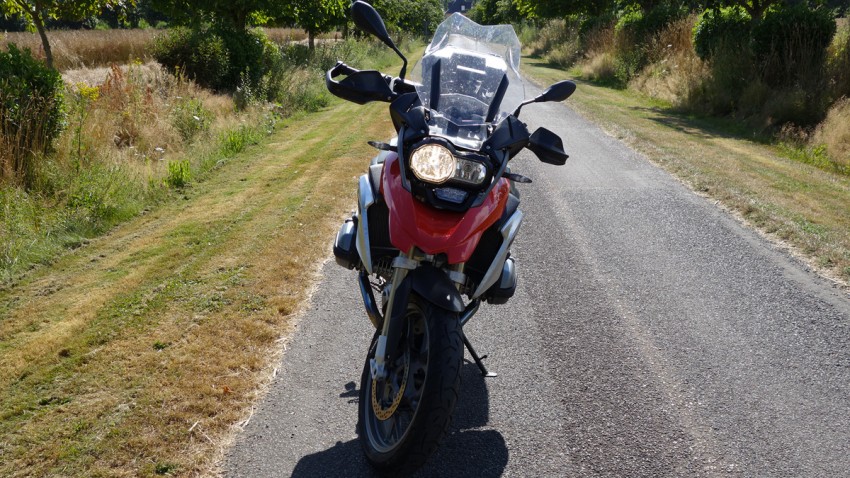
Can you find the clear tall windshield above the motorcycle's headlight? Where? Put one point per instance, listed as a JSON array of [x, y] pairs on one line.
[[469, 76]]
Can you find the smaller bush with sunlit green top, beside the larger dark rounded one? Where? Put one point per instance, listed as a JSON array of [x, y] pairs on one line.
[[725, 28]]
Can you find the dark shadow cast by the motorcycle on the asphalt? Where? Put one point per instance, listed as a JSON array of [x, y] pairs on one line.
[[464, 452]]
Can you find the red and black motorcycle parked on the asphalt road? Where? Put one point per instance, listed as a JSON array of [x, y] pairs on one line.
[[437, 214]]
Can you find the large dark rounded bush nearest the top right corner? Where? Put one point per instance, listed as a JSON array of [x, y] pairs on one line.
[[790, 45]]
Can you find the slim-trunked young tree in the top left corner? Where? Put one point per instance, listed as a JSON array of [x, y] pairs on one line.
[[37, 12]]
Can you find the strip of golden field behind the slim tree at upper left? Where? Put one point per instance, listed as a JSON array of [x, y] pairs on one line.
[[88, 48]]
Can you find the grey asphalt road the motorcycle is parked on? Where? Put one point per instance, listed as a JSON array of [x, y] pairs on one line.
[[651, 335]]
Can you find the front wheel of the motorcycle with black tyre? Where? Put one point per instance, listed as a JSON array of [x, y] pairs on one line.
[[403, 418]]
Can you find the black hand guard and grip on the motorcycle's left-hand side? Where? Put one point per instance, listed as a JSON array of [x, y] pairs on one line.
[[365, 86]]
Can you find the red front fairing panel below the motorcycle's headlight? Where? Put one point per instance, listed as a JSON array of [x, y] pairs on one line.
[[413, 223]]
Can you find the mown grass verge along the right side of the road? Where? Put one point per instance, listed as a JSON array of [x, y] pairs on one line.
[[790, 200]]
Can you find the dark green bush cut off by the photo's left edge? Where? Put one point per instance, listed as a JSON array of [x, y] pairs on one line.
[[31, 112]]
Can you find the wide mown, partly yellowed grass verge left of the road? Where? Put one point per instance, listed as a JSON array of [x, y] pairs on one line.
[[136, 354]]
